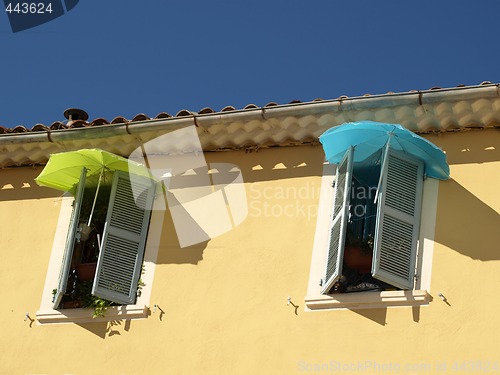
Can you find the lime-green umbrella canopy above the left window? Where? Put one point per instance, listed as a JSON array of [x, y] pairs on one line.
[[63, 170]]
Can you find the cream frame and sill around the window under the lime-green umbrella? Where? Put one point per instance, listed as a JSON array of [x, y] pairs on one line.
[[140, 309]]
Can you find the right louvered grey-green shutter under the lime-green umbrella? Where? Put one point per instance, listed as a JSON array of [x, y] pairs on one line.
[[120, 259]]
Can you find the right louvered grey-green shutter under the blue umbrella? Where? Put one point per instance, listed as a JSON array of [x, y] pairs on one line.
[[398, 219]]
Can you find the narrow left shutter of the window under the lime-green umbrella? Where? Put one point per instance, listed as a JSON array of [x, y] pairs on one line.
[[70, 241]]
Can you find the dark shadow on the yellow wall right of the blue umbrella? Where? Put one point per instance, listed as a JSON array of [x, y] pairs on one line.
[[465, 223]]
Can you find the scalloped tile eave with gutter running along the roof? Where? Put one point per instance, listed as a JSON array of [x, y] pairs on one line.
[[436, 110]]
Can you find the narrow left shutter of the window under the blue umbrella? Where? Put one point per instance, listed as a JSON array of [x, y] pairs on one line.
[[338, 226]]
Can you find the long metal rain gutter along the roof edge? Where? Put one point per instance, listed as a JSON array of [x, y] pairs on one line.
[[341, 104]]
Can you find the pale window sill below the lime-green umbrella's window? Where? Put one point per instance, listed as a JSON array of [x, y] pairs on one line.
[[85, 315]]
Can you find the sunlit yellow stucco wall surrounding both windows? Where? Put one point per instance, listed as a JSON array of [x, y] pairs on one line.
[[224, 301]]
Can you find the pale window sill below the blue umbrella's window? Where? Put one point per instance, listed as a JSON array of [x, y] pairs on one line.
[[367, 300]]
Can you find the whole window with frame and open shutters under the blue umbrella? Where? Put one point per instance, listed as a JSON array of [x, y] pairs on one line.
[[370, 249]]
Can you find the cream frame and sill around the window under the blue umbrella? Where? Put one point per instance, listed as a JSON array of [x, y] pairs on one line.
[[419, 295]]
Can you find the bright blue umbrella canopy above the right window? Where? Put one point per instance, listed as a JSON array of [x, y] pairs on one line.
[[369, 137]]
